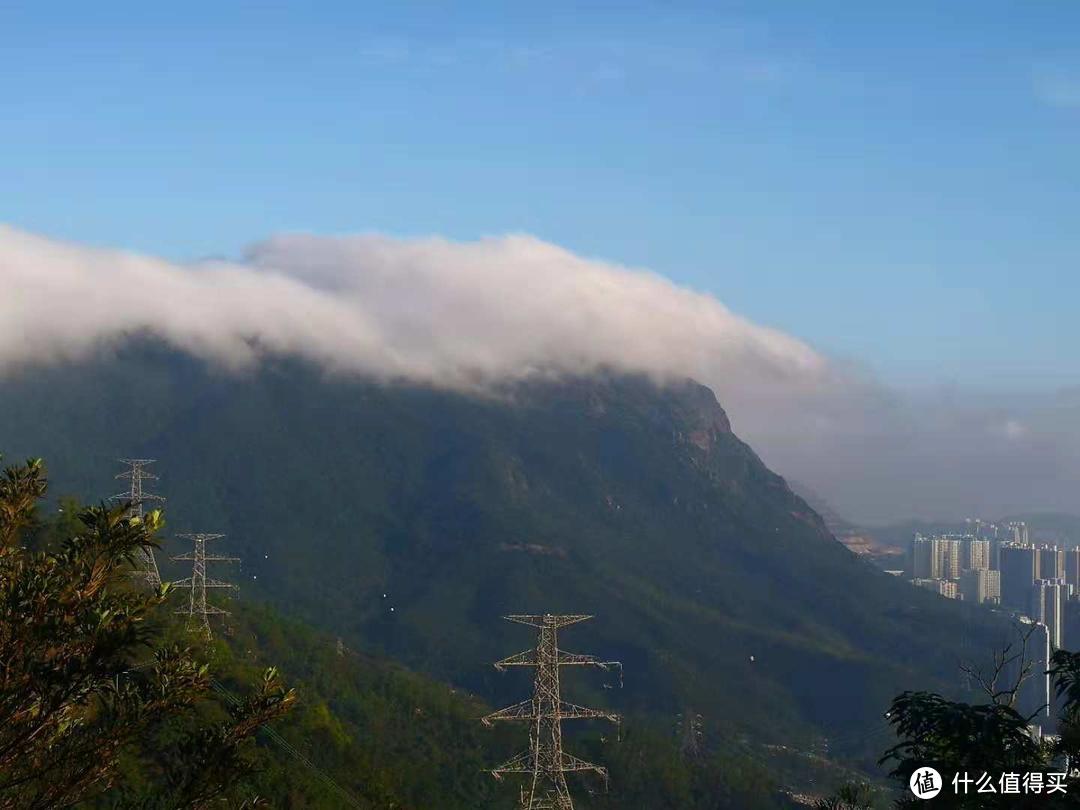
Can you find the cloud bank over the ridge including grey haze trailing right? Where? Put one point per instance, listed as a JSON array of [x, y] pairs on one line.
[[464, 316]]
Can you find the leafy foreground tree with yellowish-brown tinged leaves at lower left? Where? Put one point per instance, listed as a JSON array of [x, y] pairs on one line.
[[84, 686]]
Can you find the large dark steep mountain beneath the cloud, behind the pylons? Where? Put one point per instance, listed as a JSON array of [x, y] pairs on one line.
[[409, 520]]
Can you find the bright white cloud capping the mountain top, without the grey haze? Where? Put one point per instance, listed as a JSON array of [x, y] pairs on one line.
[[455, 315]]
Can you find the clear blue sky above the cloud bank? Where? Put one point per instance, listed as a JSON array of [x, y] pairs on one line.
[[899, 184]]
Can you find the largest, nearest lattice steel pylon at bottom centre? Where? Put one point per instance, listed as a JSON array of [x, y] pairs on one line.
[[546, 763]]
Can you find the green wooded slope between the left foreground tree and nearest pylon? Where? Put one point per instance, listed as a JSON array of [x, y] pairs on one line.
[[390, 737]]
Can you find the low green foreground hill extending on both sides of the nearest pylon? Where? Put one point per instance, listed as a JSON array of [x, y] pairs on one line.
[[370, 734]]
